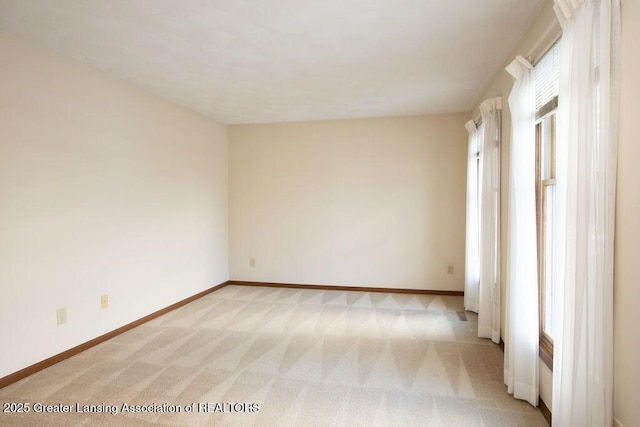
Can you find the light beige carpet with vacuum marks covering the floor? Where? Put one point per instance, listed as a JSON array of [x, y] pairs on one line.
[[306, 357]]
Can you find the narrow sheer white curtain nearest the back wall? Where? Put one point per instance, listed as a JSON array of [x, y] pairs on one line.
[[472, 255]]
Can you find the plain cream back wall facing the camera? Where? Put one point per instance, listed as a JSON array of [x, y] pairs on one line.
[[369, 202]]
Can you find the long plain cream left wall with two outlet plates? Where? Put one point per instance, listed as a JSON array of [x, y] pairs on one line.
[[104, 189]]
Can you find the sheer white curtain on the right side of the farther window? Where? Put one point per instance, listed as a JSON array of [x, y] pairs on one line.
[[489, 207]]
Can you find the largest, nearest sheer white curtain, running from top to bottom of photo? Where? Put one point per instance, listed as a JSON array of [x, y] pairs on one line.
[[586, 171]]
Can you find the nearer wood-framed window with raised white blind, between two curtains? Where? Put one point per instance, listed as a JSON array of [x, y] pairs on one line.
[[546, 79]]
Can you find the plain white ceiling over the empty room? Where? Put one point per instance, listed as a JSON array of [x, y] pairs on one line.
[[243, 61]]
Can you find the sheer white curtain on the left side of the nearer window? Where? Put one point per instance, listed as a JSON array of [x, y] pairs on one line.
[[521, 322]]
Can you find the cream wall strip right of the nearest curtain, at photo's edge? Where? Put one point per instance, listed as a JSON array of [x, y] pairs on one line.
[[627, 247]]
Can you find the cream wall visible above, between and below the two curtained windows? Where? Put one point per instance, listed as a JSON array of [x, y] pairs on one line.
[[544, 30]]
